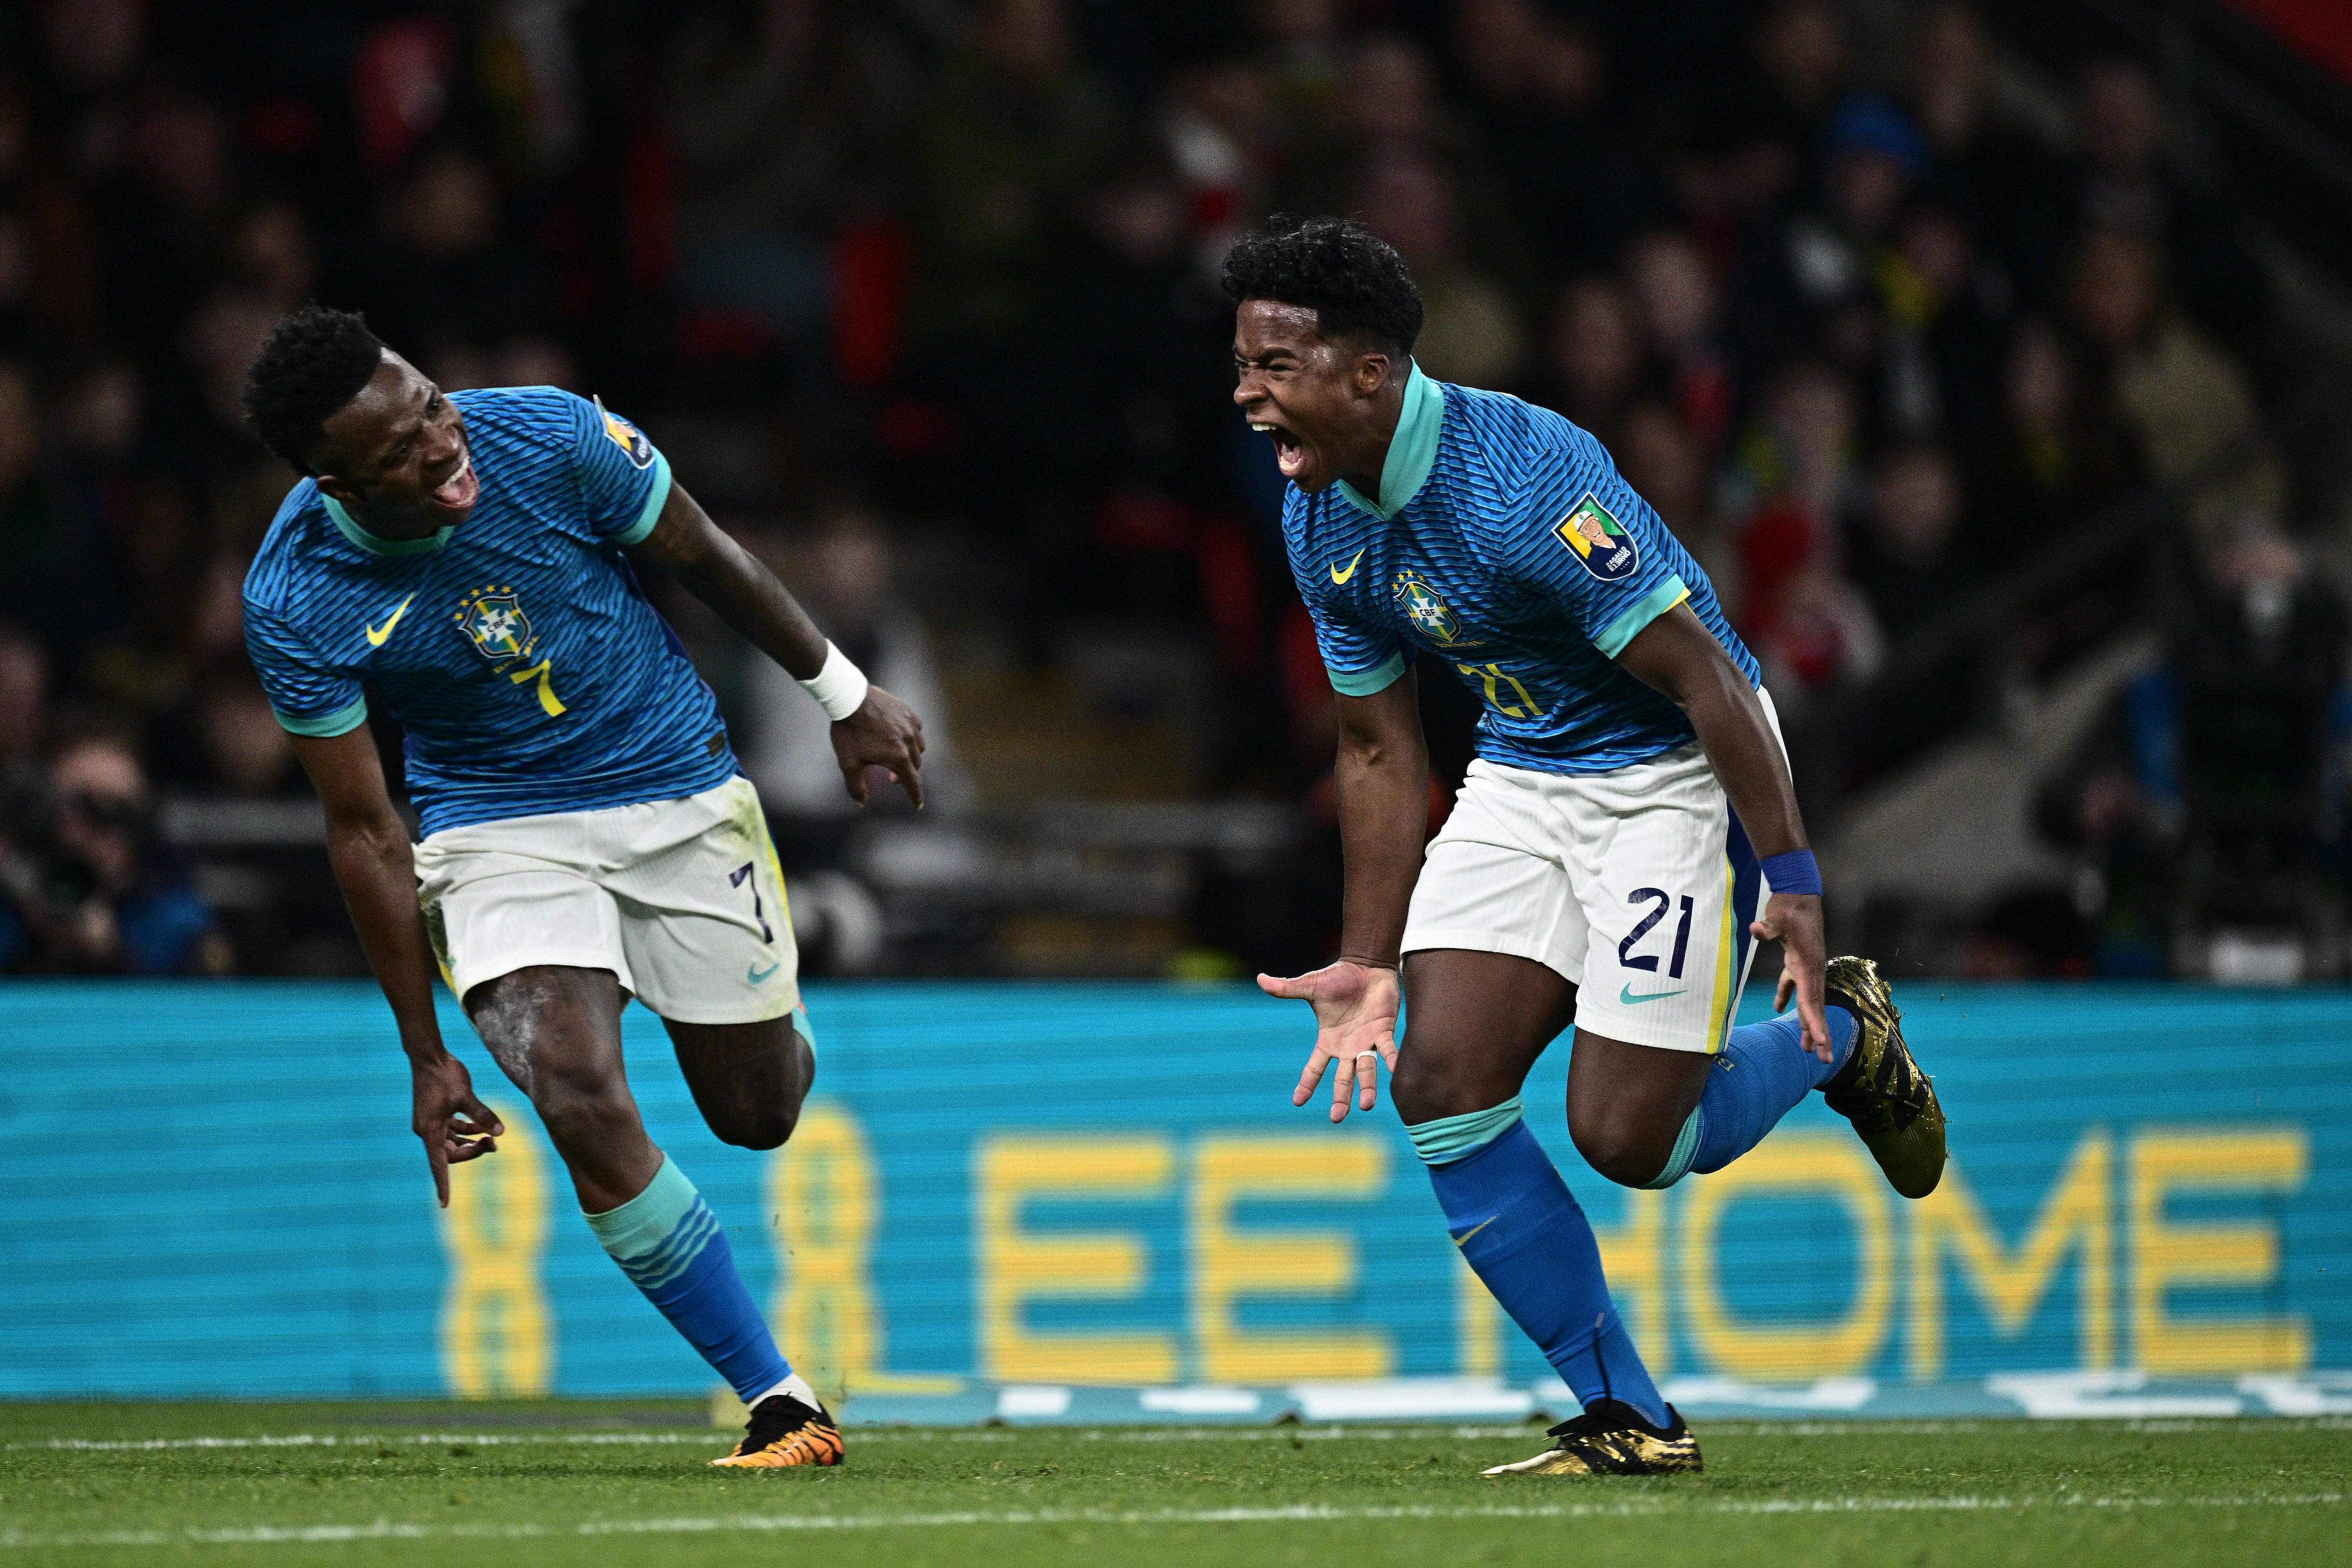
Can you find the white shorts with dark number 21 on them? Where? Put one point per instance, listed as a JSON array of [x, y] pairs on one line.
[[1636, 885]]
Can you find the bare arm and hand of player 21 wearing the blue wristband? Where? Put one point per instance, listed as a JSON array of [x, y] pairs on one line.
[[1683, 659]]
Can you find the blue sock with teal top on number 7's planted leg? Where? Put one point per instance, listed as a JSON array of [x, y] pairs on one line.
[[671, 1245]]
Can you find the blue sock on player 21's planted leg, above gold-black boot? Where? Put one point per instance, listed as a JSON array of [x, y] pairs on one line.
[[1523, 1233]]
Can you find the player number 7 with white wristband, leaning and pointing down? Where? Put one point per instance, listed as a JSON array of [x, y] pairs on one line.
[[587, 836]]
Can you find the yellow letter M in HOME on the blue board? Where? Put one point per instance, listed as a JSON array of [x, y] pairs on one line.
[[2076, 1217]]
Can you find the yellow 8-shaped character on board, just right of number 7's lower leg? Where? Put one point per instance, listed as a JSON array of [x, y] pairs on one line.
[[827, 1198]]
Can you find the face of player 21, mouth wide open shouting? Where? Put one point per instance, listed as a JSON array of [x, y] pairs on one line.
[[1309, 396]]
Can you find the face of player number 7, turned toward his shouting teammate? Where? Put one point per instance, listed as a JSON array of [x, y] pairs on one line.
[[399, 450]]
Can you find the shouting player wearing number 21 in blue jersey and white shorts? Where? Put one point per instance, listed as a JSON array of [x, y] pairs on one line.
[[1610, 855]]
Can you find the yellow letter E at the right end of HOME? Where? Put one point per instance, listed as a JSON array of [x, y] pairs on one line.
[[2236, 1254]]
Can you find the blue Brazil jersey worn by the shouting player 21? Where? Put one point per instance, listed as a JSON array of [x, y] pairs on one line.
[[1506, 544]]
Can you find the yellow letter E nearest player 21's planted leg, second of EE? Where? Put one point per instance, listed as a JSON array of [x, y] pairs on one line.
[[1231, 1264]]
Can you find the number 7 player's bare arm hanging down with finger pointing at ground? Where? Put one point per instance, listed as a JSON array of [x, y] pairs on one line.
[[370, 852]]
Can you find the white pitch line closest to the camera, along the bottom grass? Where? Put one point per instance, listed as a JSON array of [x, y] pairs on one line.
[[1302, 1513]]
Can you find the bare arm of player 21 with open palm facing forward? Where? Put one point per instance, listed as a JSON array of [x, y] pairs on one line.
[[1384, 789]]
